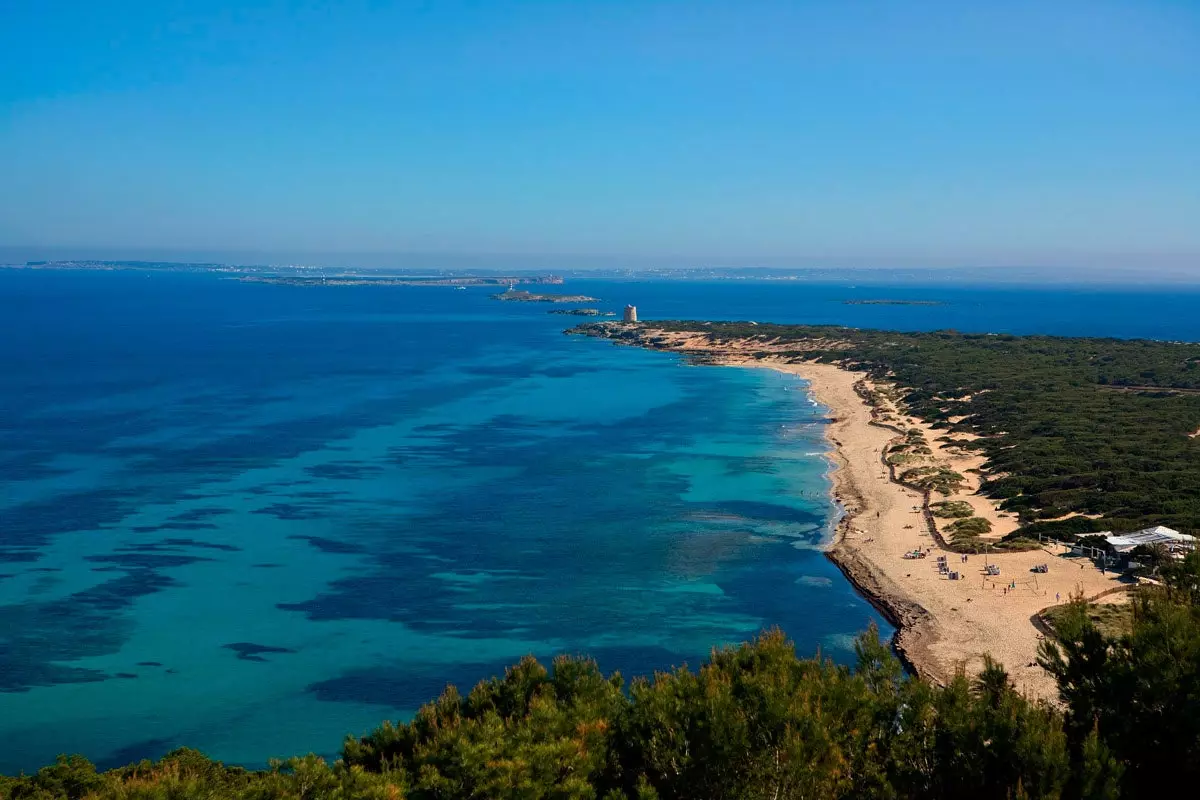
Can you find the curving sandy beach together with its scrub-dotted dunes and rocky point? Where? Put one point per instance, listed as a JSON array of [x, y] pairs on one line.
[[890, 542]]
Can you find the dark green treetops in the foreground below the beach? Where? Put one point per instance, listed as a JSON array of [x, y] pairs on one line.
[[757, 723]]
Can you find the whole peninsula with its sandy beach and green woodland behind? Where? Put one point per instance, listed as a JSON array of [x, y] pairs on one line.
[[979, 449]]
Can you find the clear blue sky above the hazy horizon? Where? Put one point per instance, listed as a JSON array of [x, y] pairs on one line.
[[838, 133]]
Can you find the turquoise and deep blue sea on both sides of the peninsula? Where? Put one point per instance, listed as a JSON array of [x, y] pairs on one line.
[[254, 519]]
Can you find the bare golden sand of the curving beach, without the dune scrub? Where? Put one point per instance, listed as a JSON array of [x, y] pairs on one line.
[[943, 625]]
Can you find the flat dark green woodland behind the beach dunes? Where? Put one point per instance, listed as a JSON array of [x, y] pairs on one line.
[[1099, 431]]
